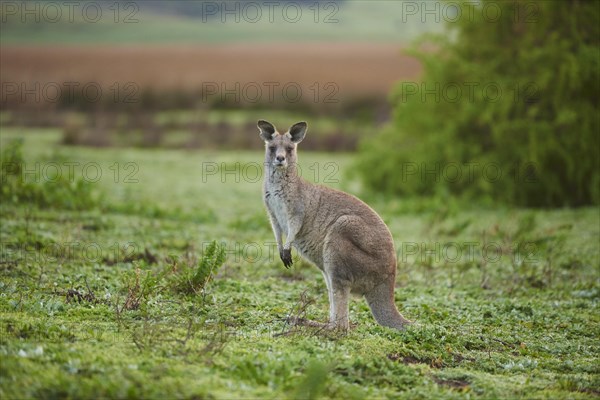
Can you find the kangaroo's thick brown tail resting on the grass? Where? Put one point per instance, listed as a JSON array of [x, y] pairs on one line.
[[381, 302]]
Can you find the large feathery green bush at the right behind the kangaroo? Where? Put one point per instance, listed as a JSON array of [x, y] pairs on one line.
[[516, 96]]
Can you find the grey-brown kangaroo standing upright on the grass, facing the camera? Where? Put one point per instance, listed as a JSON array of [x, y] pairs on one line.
[[337, 232]]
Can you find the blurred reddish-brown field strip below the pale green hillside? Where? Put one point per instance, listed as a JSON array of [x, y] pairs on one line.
[[360, 69]]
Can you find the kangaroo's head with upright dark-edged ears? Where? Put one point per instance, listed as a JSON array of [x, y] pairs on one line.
[[281, 148]]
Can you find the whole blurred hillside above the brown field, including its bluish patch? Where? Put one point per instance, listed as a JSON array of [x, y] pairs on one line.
[[160, 22]]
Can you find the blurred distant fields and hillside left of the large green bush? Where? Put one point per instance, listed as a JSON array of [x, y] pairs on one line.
[[198, 73]]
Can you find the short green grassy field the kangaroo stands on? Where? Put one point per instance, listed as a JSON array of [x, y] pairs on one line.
[[524, 324]]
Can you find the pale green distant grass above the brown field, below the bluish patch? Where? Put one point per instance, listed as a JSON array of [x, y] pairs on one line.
[[353, 21]]
